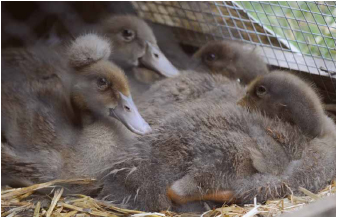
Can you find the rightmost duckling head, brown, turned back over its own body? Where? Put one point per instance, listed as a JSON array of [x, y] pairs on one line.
[[283, 95]]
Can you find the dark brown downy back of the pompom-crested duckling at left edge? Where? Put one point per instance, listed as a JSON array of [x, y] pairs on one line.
[[36, 108]]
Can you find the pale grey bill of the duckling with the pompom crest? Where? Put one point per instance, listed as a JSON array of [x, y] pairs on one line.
[[127, 112]]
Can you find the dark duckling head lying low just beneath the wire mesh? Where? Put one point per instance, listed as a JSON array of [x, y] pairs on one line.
[[230, 59]]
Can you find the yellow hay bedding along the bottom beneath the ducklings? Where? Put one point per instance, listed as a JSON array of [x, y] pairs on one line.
[[26, 202]]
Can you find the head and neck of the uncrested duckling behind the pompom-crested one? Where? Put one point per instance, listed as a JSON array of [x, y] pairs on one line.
[[134, 45]]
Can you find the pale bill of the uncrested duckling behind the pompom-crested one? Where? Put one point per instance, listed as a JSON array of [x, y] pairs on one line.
[[156, 60]]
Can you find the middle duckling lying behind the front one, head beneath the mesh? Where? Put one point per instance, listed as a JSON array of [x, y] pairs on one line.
[[230, 61]]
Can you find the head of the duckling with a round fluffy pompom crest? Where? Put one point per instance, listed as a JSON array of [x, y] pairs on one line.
[[97, 87]]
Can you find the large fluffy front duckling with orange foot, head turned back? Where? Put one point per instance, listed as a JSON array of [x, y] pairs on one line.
[[223, 152]]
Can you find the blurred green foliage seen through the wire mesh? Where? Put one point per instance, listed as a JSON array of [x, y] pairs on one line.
[[309, 26]]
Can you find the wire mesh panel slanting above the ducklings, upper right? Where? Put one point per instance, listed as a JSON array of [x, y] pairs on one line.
[[292, 35]]
